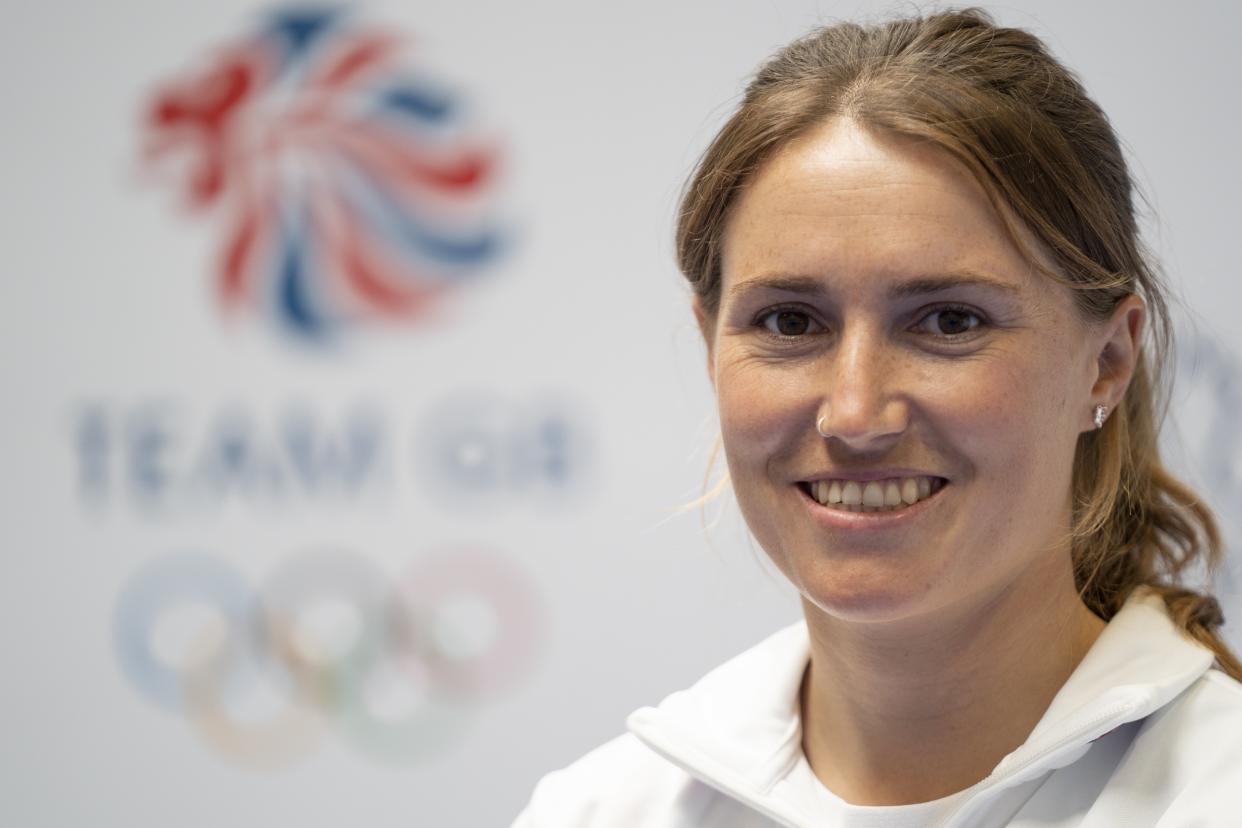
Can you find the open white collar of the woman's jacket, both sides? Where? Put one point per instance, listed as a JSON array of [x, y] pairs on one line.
[[740, 731]]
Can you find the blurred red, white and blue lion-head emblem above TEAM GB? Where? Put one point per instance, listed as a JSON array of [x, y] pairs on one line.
[[351, 186]]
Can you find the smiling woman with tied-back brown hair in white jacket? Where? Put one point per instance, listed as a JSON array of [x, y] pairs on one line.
[[936, 347]]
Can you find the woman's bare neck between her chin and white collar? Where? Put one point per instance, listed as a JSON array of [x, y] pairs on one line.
[[913, 711]]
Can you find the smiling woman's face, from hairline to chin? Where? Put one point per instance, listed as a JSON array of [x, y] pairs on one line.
[[869, 285]]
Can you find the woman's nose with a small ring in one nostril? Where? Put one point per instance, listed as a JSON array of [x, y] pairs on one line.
[[863, 405]]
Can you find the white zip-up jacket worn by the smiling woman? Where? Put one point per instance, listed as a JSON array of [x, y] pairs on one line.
[[1145, 733]]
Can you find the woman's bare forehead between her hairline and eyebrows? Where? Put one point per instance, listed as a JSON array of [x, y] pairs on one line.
[[846, 204]]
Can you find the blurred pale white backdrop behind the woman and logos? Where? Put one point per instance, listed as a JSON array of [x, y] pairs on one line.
[[145, 423]]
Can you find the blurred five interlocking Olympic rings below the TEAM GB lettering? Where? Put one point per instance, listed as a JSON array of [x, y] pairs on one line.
[[396, 664]]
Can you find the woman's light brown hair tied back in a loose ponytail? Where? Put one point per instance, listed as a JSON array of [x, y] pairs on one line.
[[1024, 126]]
